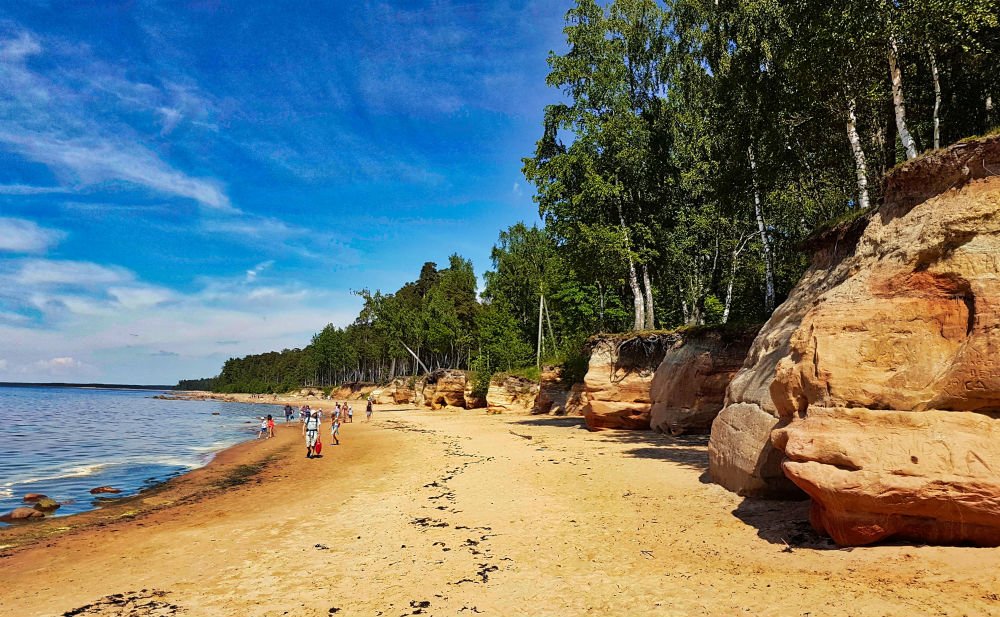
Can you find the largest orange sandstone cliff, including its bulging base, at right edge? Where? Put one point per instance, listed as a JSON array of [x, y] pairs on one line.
[[882, 369]]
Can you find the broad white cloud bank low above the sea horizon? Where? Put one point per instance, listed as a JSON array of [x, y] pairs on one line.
[[81, 321]]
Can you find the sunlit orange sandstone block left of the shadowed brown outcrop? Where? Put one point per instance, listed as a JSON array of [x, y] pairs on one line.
[[616, 389]]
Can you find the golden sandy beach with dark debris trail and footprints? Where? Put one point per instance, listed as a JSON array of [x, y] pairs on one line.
[[461, 513]]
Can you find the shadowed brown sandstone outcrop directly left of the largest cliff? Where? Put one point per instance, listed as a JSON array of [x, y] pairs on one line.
[[689, 386]]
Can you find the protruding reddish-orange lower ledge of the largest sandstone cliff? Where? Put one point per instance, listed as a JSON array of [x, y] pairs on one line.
[[928, 476]]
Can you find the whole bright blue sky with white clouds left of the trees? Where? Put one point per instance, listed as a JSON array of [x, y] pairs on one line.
[[183, 182]]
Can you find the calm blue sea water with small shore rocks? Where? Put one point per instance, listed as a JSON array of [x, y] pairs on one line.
[[62, 442]]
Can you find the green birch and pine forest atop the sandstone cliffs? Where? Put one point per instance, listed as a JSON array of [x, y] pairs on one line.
[[696, 149]]
